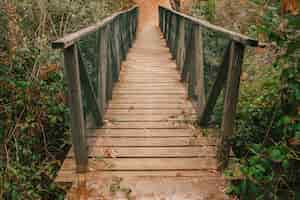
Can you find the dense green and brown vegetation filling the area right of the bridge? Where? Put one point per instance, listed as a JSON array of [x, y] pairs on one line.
[[267, 136]]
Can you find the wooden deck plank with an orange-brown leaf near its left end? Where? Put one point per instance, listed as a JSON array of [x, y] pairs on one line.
[[151, 152]]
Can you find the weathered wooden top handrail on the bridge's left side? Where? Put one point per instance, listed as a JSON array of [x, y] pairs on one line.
[[71, 38]]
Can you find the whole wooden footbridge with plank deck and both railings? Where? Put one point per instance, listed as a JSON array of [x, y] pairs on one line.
[[136, 102]]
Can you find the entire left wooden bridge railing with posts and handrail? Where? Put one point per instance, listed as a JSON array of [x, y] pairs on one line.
[[92, 60]]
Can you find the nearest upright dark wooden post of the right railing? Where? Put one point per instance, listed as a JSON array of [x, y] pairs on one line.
[[230, 104]]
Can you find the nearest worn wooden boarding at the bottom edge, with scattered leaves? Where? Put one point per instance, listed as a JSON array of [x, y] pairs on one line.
[[154, 188]]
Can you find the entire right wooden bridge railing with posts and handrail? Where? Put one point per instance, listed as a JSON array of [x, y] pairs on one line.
[[210, 59]]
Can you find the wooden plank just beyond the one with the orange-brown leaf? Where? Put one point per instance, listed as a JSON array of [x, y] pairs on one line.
[[150, 142]]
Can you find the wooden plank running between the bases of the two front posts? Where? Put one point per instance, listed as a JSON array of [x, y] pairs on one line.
[[138, 164]]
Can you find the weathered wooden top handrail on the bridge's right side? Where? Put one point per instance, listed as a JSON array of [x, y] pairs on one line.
[[230, 34]]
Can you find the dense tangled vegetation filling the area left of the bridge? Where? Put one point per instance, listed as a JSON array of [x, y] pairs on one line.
[[33, 113]]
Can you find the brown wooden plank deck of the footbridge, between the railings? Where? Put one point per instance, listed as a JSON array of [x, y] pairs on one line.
[[148, 141]]
